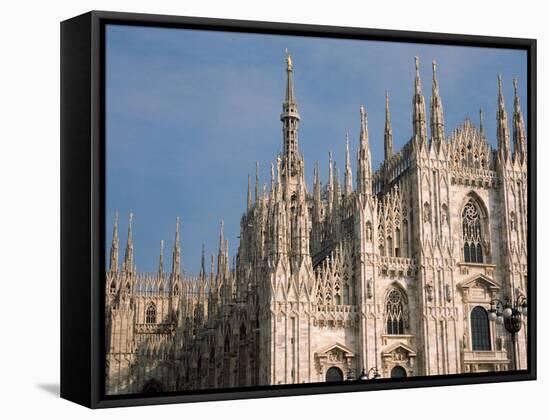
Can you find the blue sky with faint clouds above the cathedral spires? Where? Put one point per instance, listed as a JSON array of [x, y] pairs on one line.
[[190, 112]]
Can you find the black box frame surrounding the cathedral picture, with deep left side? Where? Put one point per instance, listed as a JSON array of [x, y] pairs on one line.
[[83, 203]]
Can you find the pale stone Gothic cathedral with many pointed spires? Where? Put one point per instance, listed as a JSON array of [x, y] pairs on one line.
[[392, 273]]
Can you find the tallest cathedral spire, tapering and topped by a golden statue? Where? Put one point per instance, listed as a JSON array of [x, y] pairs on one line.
[[290, 119]]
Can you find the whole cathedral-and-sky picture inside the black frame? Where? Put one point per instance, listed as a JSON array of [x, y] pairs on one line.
[[286, 210]]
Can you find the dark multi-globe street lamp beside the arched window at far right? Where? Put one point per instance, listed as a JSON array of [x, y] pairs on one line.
[[509, 314]]
